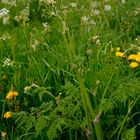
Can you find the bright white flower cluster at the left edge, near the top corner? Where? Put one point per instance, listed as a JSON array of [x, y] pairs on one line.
[[4, 14]]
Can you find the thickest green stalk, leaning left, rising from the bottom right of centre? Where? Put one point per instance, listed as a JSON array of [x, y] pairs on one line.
[[90, 114]]
